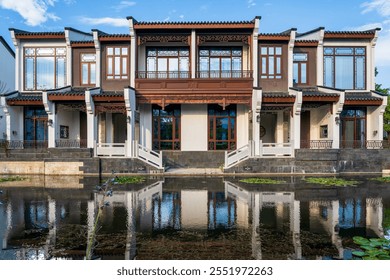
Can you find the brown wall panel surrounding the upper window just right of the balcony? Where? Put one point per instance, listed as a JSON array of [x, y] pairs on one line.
[[269, 85]]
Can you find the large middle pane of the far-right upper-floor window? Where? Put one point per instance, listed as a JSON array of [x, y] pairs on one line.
[[344, 72]]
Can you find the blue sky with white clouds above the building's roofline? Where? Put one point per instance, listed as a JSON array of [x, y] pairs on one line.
[[277, 15]]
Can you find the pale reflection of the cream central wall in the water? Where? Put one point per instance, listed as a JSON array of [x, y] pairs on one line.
[[194, 214]]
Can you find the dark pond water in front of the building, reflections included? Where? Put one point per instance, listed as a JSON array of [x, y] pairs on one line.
[[189, 218]]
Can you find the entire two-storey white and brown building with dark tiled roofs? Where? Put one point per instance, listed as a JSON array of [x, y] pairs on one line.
[[195, 87]]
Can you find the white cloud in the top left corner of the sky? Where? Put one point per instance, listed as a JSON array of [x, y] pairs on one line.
[[33, 11]]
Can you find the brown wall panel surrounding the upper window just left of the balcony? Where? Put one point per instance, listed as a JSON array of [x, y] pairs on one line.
[[111, 85]]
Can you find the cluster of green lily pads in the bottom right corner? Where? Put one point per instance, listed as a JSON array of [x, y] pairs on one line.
[[372, 249]]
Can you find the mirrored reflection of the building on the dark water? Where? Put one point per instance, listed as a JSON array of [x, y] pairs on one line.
[[275, 224]]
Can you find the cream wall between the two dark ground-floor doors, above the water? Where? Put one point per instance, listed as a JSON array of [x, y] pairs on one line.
[[194, 127]]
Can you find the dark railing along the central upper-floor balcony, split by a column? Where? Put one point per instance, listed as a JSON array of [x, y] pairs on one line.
[[231, 74]]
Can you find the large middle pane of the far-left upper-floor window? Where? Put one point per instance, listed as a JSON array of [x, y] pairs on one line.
[[45, 72]]
